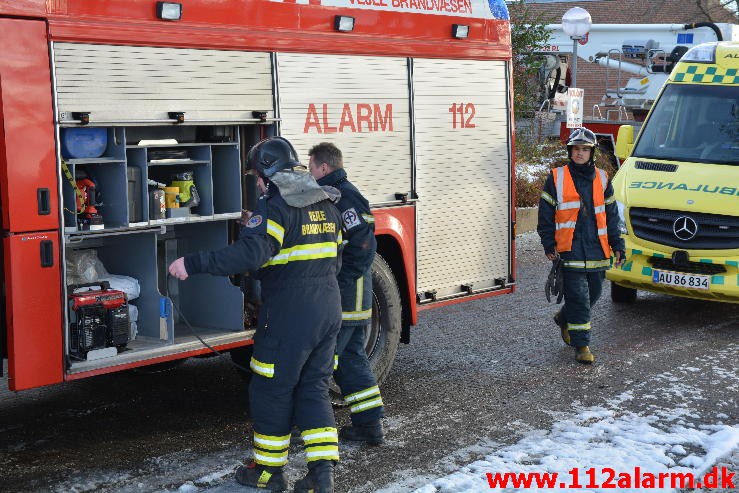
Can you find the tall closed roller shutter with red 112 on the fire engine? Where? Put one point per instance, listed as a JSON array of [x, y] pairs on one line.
[[462, 175]]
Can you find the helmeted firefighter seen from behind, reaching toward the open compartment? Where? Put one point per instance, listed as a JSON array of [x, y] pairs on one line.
[[292, 245]]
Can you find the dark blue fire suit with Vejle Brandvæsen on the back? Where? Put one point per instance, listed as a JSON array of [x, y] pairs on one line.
[[295, 253]]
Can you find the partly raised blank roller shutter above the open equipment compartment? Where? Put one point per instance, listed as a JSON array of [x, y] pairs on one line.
[[139, 83]]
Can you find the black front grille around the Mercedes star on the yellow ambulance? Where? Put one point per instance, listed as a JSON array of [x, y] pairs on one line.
[[714, 231]]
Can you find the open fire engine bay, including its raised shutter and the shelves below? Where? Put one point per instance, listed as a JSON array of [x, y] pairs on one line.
[[173, 119]]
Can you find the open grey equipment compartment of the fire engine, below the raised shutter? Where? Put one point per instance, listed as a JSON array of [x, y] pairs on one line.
[[142, 247]]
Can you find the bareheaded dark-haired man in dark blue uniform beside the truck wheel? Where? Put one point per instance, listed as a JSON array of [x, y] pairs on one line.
[[353, 373]]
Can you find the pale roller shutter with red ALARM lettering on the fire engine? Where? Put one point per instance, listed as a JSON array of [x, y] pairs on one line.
[[360, 104]]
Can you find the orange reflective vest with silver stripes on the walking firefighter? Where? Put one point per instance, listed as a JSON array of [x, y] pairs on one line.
[[568, 207]]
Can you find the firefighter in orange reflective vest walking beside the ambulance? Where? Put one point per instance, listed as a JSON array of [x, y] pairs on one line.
[[578, 227]]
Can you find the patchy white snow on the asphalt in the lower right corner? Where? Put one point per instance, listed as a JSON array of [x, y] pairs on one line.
[[668, 436]]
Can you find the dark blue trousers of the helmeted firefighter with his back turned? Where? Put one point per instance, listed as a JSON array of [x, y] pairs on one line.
[[292, 362]]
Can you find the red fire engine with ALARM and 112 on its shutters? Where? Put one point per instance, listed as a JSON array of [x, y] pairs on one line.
[[124, 126]]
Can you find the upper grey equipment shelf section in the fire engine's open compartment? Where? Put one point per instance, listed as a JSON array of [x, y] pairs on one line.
[[122, 176]]
